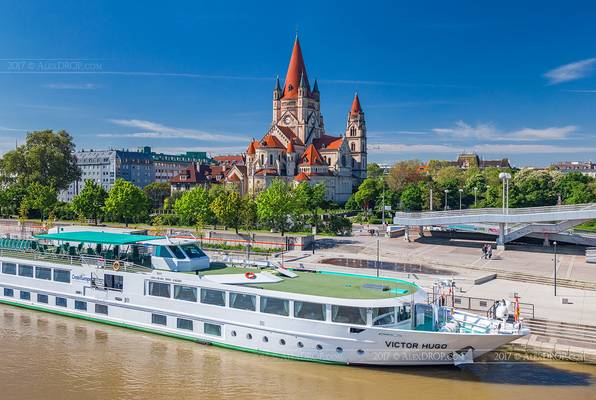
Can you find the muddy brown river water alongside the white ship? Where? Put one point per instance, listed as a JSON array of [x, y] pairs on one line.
[[44, 356]]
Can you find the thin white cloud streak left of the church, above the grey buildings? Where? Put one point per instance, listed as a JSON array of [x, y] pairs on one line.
[[156, 130]]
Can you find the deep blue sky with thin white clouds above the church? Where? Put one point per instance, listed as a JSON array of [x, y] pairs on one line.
[[504, 79]]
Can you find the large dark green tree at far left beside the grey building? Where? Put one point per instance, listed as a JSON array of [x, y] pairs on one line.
[[47, 158]]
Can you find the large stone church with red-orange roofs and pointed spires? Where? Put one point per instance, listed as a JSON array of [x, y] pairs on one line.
[[297, 149]]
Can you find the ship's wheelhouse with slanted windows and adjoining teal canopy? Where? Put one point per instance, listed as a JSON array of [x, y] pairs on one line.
[[125, 251]]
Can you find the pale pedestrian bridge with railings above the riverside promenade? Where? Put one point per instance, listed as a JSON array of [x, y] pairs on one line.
[[513, 222]]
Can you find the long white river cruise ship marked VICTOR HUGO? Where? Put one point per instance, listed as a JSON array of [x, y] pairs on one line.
[[168, 286]]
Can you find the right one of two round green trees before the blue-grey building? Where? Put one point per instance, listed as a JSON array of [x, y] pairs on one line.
[[126, 202]]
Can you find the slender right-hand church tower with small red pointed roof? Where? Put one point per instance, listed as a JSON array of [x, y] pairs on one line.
[[356, 135]]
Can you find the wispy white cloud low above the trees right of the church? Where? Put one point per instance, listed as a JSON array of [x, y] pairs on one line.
[[488, 131]]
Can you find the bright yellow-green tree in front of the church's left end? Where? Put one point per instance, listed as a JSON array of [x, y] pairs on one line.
[[275, 206]]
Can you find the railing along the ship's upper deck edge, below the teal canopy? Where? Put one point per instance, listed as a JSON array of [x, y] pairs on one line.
[[66, 259]]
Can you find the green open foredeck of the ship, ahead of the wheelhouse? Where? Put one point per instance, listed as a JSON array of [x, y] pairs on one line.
[[327, 283]]
